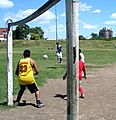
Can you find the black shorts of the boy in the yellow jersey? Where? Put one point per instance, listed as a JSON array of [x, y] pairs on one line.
[[31, 87]]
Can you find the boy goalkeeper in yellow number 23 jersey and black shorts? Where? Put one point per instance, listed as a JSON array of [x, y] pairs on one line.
[[26, 69]]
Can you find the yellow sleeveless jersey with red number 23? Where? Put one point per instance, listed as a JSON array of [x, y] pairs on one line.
[[25, 75]]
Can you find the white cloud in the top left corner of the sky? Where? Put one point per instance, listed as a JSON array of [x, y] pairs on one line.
[[6, 4]]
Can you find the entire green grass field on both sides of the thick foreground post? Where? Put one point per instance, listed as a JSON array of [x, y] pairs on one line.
[[97, 54]]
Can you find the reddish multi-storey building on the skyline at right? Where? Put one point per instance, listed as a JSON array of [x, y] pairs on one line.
[[106, 33]]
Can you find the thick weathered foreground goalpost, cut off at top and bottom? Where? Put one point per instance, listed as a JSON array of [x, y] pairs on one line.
[[72, 68]]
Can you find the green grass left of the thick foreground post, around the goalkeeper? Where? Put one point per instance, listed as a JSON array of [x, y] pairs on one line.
[[48, 68]]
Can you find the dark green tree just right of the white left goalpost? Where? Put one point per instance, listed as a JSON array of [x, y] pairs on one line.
[[21, 31]]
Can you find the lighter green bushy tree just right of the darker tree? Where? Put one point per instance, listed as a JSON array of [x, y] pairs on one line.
[[36, 33]]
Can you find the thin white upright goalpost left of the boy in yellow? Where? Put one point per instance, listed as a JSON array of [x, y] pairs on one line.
[[9, 67]]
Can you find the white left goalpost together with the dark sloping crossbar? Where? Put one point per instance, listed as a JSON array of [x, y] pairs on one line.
[[10, 24]]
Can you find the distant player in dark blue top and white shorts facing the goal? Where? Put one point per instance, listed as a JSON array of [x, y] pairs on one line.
[[59, 52]]
